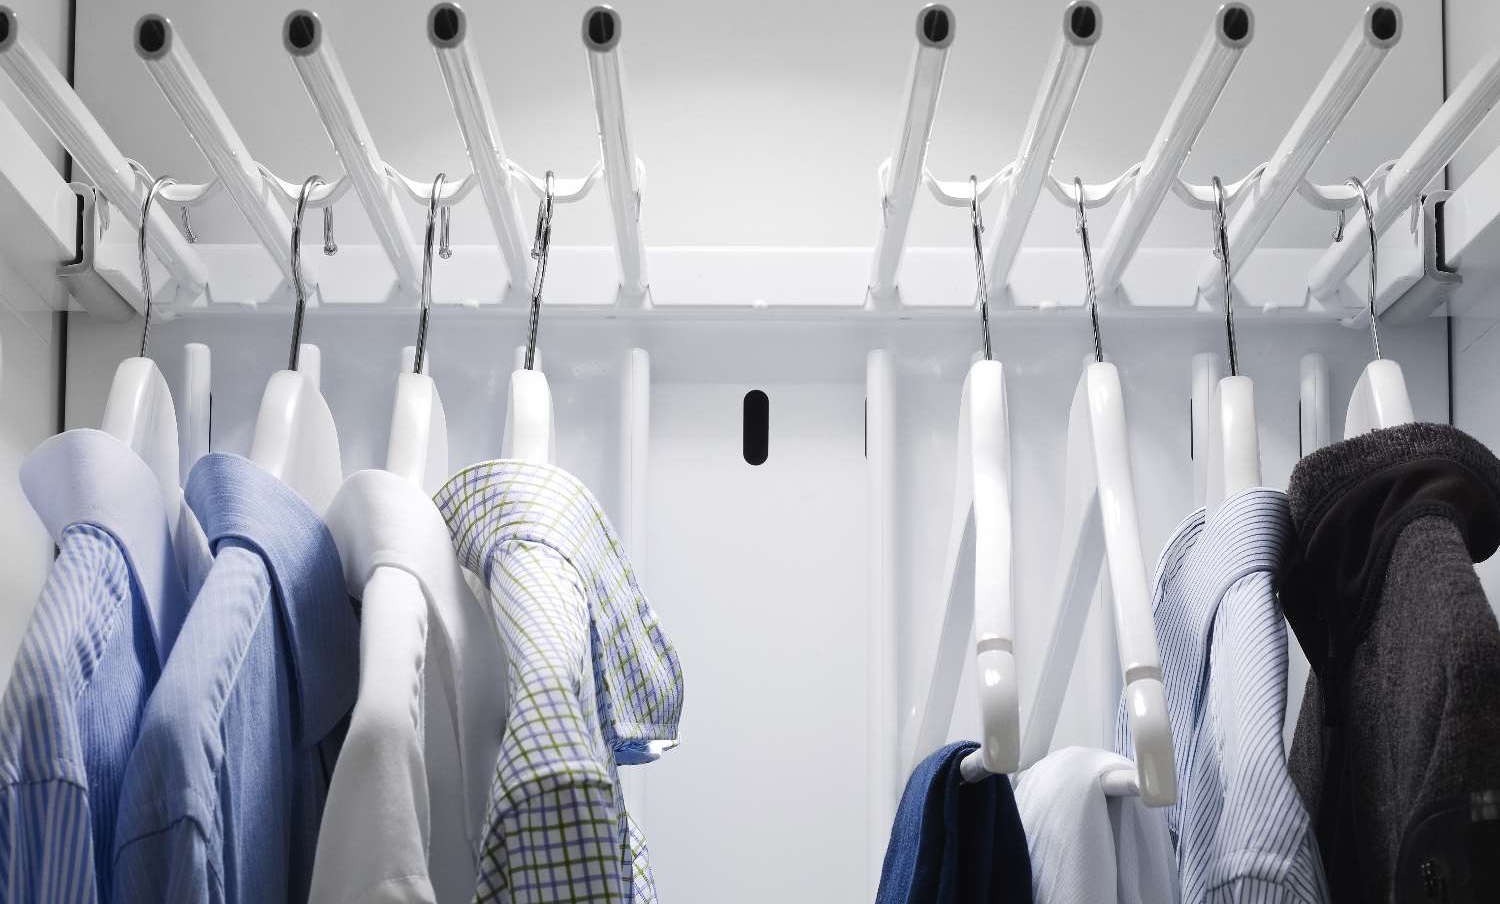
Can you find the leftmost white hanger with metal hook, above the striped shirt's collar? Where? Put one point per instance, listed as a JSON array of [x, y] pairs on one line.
[[139, 410]]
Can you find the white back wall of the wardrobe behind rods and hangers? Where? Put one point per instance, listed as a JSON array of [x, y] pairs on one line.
[[763, 127]]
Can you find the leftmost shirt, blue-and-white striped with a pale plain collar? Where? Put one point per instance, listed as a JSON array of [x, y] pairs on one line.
[[88, 663]]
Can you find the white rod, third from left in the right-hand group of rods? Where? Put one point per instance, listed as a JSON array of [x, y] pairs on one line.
[[1234, 28]]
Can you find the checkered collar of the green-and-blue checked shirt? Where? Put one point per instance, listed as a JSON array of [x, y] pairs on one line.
[[637, 668]]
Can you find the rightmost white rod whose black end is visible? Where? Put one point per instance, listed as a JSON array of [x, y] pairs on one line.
[[1357, 64]]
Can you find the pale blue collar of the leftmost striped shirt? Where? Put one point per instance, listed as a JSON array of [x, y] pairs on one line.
[[89, 477]]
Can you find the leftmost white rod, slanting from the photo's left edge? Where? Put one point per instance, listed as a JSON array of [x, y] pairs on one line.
[[85, 139]]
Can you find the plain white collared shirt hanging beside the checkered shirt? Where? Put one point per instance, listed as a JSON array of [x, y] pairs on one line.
[[409, 795]]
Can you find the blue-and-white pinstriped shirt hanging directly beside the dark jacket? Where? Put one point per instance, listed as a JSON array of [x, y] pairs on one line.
[[1243, 833]]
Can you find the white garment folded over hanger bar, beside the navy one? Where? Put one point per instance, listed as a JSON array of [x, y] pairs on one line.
[[1085, 846]]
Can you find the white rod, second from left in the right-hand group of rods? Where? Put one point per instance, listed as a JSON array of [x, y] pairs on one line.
[[1082, 25]]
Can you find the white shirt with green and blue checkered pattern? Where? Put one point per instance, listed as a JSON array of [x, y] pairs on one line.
[[593, 683]]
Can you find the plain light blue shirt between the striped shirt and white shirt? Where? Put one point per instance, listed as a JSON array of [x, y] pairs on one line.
[[226, 788]]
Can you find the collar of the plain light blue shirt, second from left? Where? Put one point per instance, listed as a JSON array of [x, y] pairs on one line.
[[236, 500]]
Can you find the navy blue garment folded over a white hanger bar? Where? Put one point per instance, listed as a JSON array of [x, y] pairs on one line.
[[956, 843]]
